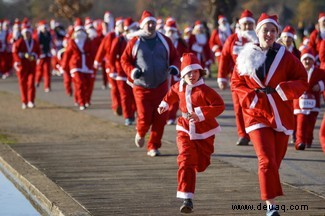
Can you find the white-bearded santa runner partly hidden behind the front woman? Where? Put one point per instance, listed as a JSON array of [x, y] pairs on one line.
[[230, 51]]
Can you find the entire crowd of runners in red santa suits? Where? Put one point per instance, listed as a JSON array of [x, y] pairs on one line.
[[142, 65]]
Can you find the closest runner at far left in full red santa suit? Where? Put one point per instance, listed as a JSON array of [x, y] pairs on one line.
[[26, 51]]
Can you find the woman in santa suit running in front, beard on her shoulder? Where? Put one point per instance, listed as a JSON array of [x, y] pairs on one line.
[[267, 78]]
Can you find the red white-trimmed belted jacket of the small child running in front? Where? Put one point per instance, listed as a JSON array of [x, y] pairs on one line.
[[198, 98]]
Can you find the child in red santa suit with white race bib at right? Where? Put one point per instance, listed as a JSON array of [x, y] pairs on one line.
[[307, 107]]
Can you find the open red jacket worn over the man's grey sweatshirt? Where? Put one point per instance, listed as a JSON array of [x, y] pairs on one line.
[[130, 53]]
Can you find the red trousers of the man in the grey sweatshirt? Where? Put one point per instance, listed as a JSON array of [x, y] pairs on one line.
[[147, 102]]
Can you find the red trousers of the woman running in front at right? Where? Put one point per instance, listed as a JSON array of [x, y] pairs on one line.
[[270, 147]]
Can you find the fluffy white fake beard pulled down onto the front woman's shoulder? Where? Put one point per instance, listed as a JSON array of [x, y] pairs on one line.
[[250, 59]]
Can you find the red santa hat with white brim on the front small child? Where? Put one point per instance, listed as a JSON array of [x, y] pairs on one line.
[[190, 62]]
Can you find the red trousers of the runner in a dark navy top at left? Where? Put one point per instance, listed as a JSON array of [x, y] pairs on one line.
[[43, 70]]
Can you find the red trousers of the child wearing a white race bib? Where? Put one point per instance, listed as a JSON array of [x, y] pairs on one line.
[[305, 125]]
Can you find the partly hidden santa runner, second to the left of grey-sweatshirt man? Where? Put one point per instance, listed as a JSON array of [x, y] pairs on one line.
[[103, 53]]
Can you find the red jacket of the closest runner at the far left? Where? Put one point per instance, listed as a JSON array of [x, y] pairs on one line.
[[25, 53]]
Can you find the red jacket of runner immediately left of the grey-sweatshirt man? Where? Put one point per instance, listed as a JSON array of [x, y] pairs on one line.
[[117, 47]]
